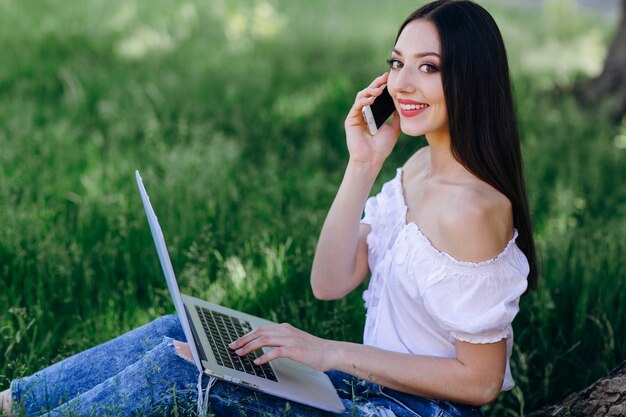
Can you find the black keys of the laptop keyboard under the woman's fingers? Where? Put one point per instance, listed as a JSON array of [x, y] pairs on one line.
[[221, 330]]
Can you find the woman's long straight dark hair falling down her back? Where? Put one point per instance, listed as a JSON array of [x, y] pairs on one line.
[[481, 112]]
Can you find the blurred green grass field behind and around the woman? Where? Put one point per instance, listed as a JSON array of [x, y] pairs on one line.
[[233, 112]]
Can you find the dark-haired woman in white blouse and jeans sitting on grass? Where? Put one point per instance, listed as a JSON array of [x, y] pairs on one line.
[[447, 242]]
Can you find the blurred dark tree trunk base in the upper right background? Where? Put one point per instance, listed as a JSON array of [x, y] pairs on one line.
[[608, 91]]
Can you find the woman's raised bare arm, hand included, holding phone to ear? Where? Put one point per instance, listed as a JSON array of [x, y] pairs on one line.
[[340, 262]]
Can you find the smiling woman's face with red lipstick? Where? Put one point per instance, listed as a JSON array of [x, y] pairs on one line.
[[415, 80]]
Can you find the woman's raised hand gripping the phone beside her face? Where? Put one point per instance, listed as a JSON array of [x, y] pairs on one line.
[[363, 147]]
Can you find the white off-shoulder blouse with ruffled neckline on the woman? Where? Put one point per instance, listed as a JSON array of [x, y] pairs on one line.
[[420, 300]]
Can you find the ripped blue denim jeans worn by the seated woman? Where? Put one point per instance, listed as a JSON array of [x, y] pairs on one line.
[[140, 374]]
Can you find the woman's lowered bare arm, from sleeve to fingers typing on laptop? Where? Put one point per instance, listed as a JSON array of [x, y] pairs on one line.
[[474, 376]]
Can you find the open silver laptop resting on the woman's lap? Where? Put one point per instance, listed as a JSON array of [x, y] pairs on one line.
[[209, 328]]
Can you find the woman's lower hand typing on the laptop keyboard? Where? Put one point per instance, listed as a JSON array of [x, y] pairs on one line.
[[288, 342]]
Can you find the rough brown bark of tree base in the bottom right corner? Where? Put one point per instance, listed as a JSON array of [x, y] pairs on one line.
[[604, 398]]
